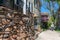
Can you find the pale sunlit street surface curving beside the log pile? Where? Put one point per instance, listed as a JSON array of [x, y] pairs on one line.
[[49, 35]]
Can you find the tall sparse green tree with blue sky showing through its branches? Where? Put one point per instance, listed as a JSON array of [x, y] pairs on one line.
[[51, 8]]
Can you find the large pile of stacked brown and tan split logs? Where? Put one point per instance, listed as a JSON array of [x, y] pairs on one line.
[[16, 25]]
